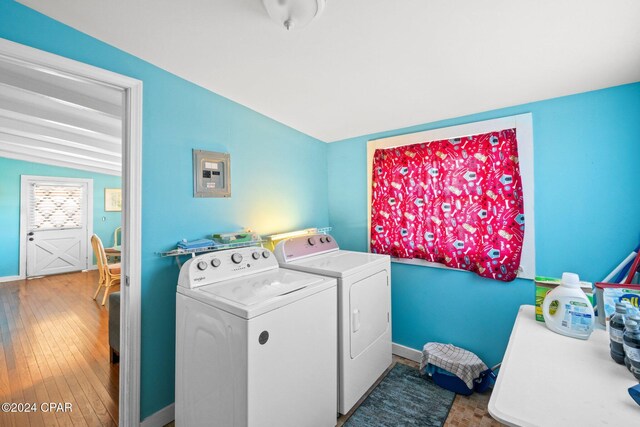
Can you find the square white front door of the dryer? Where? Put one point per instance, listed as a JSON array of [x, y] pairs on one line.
[[368, 311]]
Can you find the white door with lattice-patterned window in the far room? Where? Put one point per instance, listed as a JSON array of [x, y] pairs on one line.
[[58, 212]]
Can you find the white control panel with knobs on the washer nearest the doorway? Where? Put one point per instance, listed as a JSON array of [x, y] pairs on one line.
[[224, 265]]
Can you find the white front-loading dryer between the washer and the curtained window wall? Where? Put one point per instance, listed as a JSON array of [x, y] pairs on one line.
[[364, 307]]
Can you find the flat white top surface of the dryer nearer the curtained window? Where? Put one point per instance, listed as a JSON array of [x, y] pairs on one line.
[[337, 264]]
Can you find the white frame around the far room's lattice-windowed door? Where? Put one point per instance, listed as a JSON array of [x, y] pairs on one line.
[[25, 180]]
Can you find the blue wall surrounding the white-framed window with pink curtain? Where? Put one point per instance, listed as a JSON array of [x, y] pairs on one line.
[[587, 172]]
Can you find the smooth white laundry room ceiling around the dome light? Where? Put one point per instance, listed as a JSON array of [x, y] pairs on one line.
[[371, 65]]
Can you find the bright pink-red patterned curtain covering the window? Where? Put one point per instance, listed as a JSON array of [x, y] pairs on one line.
[[456, 202]]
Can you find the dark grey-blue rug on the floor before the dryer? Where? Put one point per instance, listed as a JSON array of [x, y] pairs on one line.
[[404, 398]]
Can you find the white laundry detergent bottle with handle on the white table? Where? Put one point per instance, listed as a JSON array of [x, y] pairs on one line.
[[567, 310]]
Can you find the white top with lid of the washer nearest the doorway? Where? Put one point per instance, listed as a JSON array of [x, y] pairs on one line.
[[250, 296]]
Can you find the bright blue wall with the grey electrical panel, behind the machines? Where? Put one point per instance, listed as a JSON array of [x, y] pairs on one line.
[[279, 176]]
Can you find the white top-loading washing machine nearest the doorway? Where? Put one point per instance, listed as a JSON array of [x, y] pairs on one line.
[[255, 344]]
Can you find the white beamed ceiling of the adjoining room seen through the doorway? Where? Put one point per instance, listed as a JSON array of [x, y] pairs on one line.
[[47, 117]]
